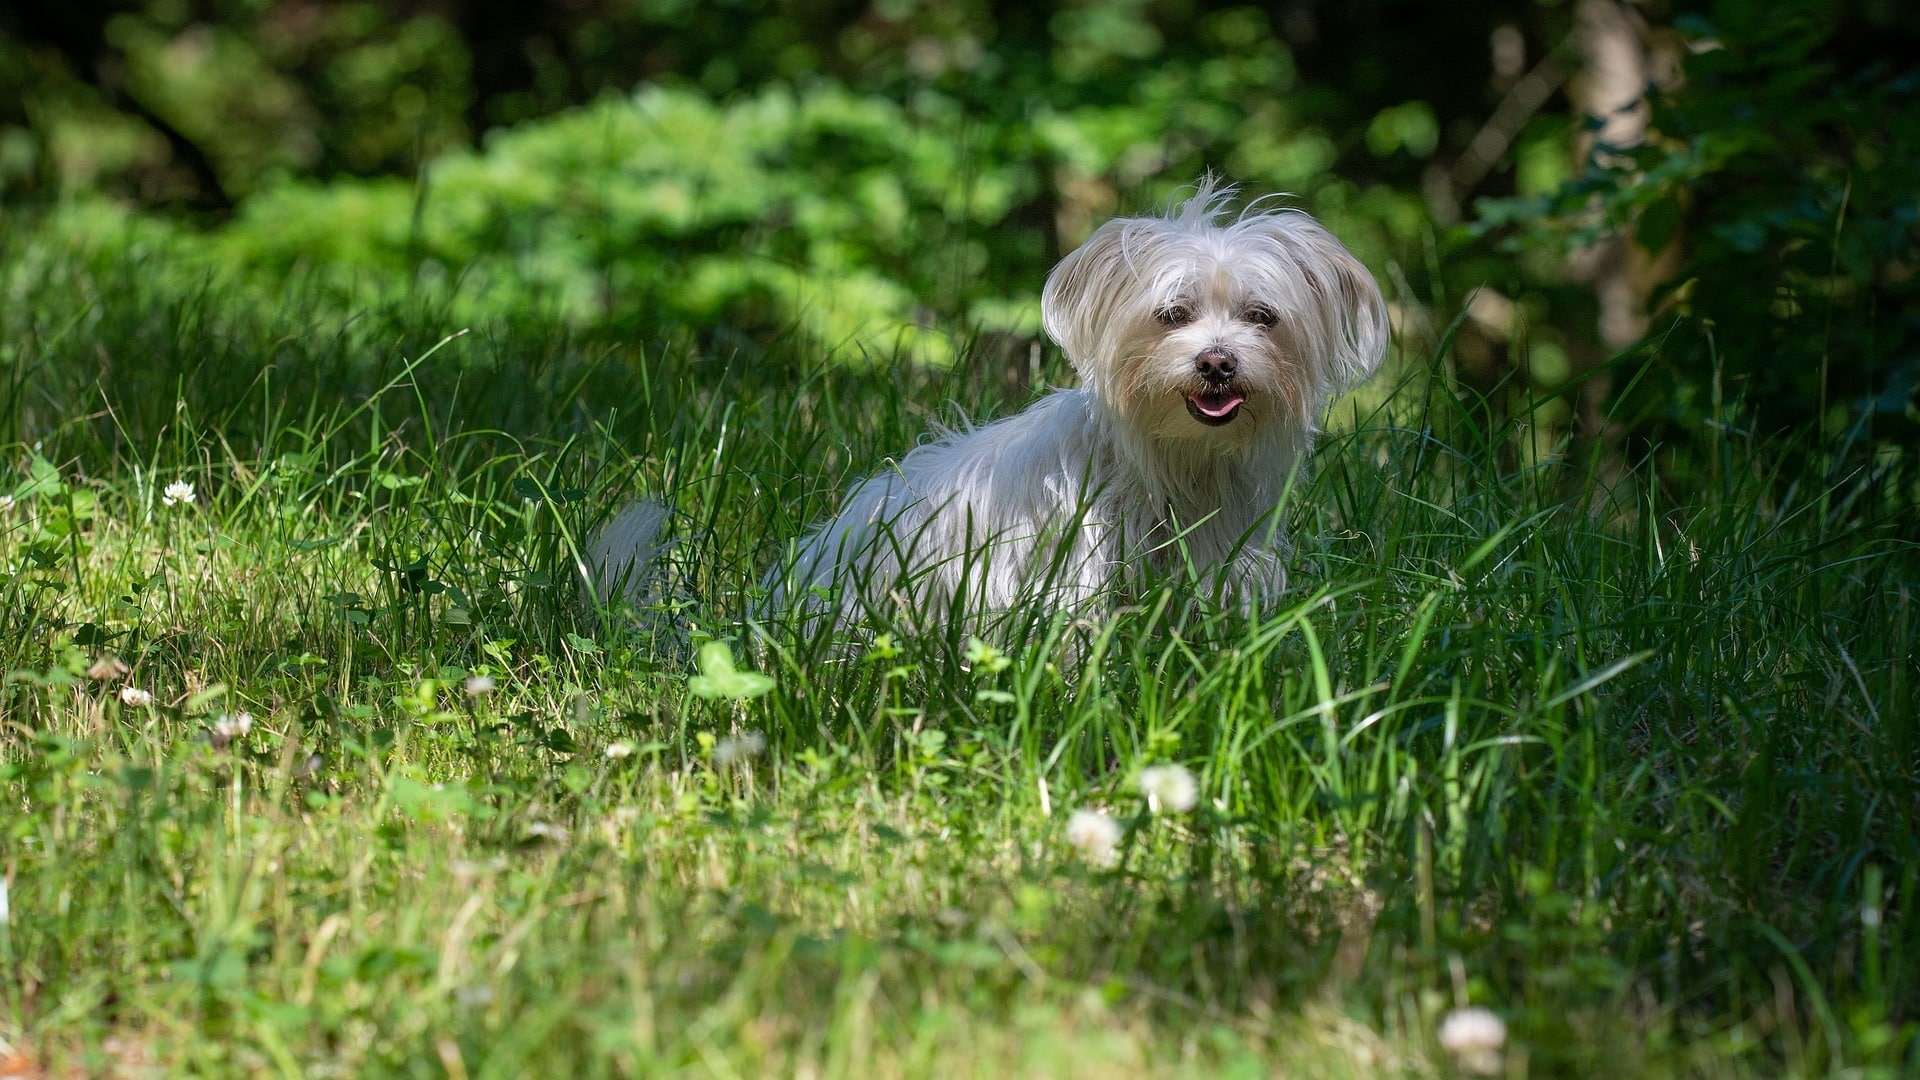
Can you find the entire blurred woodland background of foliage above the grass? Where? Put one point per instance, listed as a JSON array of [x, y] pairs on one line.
[[894, 178]]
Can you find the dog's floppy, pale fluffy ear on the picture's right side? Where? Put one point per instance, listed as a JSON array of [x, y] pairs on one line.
[[1333, 308]]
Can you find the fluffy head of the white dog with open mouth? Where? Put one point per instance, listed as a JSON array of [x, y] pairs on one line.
[[1197, 328]]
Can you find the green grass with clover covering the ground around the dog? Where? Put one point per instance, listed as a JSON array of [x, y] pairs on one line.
[[1643, 781]]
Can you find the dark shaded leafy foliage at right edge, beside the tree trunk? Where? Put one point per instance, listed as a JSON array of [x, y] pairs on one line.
[[1783, 180]]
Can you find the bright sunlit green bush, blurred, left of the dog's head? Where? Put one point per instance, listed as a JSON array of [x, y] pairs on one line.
[[817, 212]]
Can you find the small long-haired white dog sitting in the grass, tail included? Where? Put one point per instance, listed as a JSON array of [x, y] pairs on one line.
[[1207, 347]]
